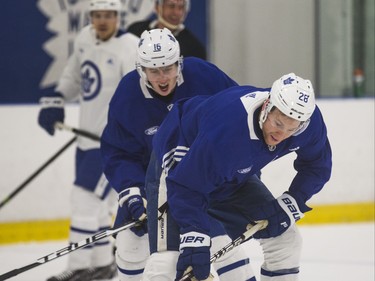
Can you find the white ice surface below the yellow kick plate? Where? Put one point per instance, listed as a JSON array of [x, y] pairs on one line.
[[342, 252]]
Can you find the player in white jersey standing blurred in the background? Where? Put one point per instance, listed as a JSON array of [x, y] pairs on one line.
[[102, 55]]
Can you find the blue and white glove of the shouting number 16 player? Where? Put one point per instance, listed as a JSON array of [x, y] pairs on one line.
[[132, 205]]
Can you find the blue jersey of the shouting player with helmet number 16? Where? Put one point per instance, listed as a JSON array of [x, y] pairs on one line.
[[135, 115]]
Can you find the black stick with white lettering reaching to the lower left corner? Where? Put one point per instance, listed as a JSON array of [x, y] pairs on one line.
[[67, 250]]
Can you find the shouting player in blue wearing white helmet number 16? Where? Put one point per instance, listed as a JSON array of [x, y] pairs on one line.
[[142, 100]]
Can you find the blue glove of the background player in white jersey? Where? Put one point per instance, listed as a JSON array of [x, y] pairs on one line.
[[52, 111]]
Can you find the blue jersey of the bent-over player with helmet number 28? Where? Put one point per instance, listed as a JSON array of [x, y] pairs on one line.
[[210, 145]]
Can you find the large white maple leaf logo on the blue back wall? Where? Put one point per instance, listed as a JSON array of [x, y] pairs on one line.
[[67, 17]]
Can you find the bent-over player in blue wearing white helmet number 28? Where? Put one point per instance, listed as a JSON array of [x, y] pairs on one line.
[[206, 156]]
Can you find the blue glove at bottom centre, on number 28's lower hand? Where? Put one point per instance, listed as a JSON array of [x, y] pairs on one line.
[[195, 253]]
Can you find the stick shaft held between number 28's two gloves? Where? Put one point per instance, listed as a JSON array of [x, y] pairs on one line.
[[246, 235]]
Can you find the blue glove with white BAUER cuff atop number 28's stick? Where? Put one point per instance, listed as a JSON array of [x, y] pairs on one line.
[[281, 214]]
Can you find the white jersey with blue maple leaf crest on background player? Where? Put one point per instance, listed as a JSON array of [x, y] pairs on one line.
[[91, 77]]
